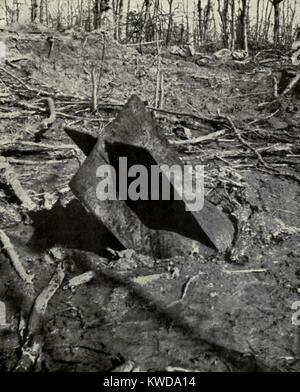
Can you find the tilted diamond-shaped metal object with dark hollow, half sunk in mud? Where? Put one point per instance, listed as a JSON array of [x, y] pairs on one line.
[[159, 228]]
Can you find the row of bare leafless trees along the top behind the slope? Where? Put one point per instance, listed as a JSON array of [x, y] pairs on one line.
[[238, 24]]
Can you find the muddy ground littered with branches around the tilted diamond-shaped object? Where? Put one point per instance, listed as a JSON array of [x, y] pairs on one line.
[[203, 312]]
